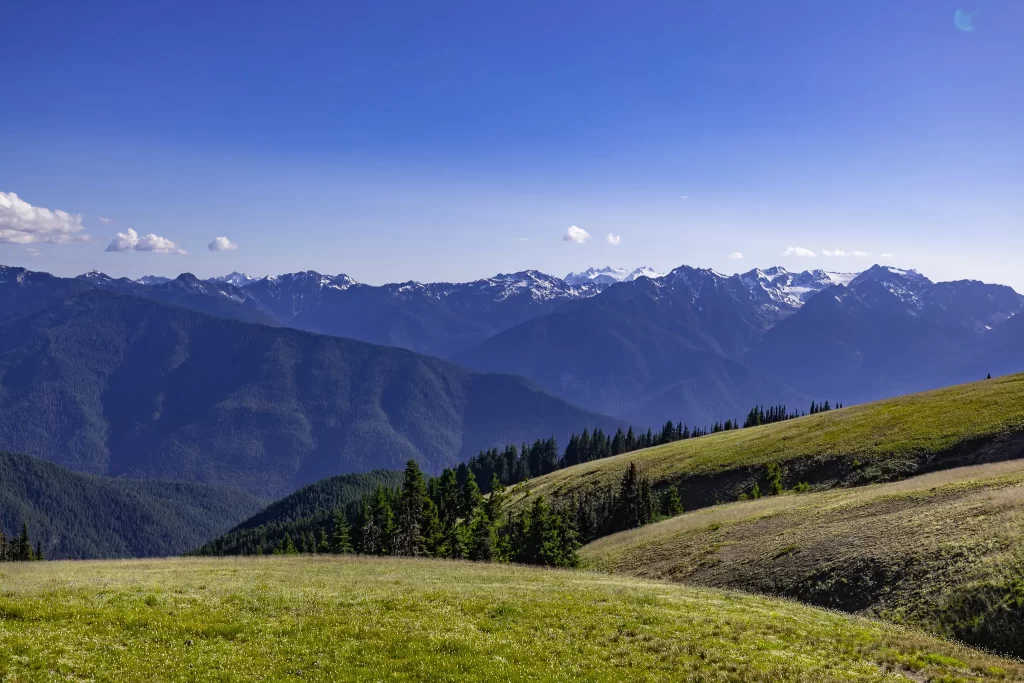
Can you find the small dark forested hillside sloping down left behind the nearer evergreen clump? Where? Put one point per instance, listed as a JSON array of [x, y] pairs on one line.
[[309, 509]]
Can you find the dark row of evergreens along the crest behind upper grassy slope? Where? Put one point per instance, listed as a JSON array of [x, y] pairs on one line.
[[513, 465]]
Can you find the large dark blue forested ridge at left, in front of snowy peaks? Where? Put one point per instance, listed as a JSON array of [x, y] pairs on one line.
[[126, 387]]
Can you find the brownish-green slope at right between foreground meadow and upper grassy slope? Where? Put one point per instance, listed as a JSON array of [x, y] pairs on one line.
[[944, 551]]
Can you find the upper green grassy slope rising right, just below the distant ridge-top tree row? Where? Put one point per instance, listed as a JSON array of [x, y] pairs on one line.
[[885, 441]]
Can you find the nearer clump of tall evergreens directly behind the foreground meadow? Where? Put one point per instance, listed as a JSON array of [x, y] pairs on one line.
[[446, 518]]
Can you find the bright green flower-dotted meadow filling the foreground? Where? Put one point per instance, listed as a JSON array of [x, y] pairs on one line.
[[370, 620]]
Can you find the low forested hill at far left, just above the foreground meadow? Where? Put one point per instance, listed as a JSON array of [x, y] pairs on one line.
[[83, 517]]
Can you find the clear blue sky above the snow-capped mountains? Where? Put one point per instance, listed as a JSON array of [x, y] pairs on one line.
[[451, 141]]
